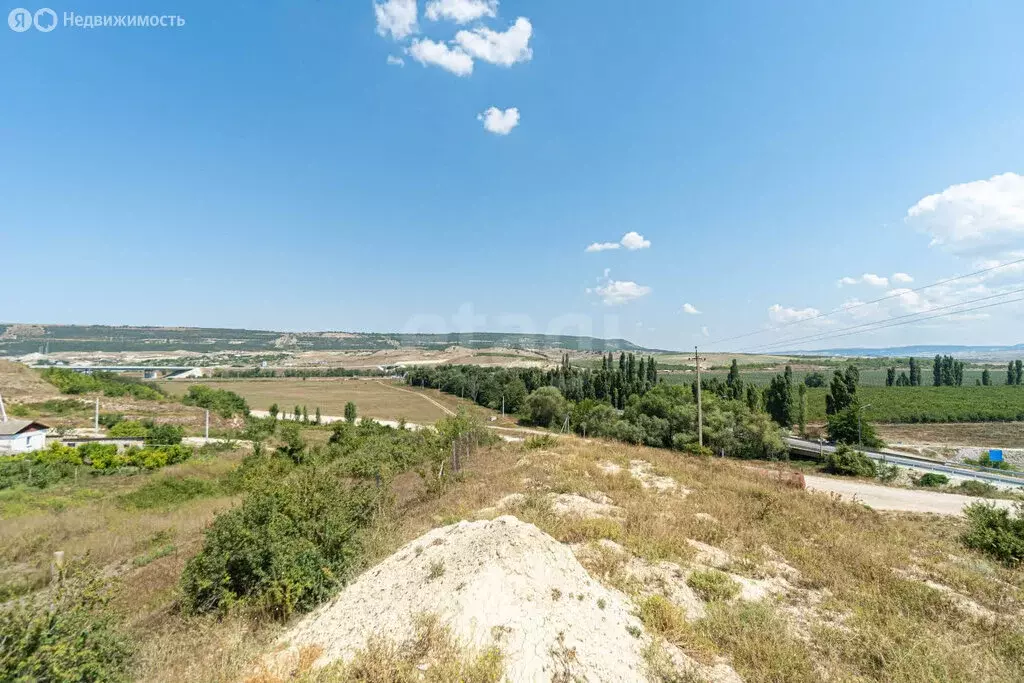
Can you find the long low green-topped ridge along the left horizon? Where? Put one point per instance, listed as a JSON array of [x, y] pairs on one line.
[[22, 339]]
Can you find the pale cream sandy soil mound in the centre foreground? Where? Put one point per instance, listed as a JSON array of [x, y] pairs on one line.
[[495, 582]]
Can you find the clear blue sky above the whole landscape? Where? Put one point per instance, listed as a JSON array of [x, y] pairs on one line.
[[271, 165]]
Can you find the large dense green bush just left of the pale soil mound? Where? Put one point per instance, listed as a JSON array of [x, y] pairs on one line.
[[286, 549]]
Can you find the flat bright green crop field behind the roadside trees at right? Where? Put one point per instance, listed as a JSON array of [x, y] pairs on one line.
[[966, 404]]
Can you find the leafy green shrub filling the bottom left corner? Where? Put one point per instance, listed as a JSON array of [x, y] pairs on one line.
[[68, 637]]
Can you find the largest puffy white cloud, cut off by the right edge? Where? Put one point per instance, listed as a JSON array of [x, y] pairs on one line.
[[984, 217]]
